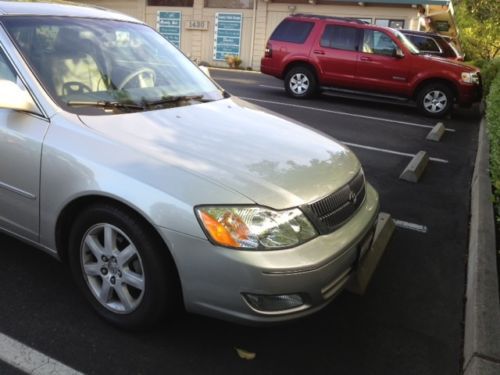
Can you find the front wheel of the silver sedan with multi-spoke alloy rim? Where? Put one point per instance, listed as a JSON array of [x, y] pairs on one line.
[[122, 268]]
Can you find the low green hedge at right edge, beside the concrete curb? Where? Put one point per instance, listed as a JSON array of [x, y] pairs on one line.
[[493, 120]]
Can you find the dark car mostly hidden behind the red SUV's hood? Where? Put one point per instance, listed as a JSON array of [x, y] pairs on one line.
[[433, 44]]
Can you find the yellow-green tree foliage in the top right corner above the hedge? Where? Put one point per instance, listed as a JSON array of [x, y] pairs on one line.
[[479, 27]]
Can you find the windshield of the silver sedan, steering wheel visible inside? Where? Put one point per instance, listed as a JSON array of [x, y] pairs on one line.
[[100, 66]]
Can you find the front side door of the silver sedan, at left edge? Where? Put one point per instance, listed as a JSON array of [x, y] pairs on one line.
[[21, 137]]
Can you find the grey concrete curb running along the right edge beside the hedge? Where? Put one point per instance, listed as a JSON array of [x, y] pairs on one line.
[[482, 307]]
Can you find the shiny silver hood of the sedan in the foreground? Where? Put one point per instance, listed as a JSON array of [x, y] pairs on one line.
[[270, 159]]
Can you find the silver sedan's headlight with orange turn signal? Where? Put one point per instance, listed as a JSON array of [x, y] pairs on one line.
[[250, 227]]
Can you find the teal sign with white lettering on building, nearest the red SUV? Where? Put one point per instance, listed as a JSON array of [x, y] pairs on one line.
[[227, 35]]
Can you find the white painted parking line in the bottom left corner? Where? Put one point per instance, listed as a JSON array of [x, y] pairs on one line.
[[29, 360]]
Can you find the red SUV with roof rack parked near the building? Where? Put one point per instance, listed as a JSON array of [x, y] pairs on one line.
[[313, 53]]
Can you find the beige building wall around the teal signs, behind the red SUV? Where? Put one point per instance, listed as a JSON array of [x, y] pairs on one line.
[[198, 44]]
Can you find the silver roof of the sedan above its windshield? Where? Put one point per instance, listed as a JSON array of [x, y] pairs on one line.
[[60, 8]]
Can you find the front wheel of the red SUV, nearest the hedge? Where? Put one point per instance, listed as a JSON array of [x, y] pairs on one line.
[[435, 100]]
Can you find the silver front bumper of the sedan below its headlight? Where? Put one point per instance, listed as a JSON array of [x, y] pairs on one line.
[[214, 279]]
